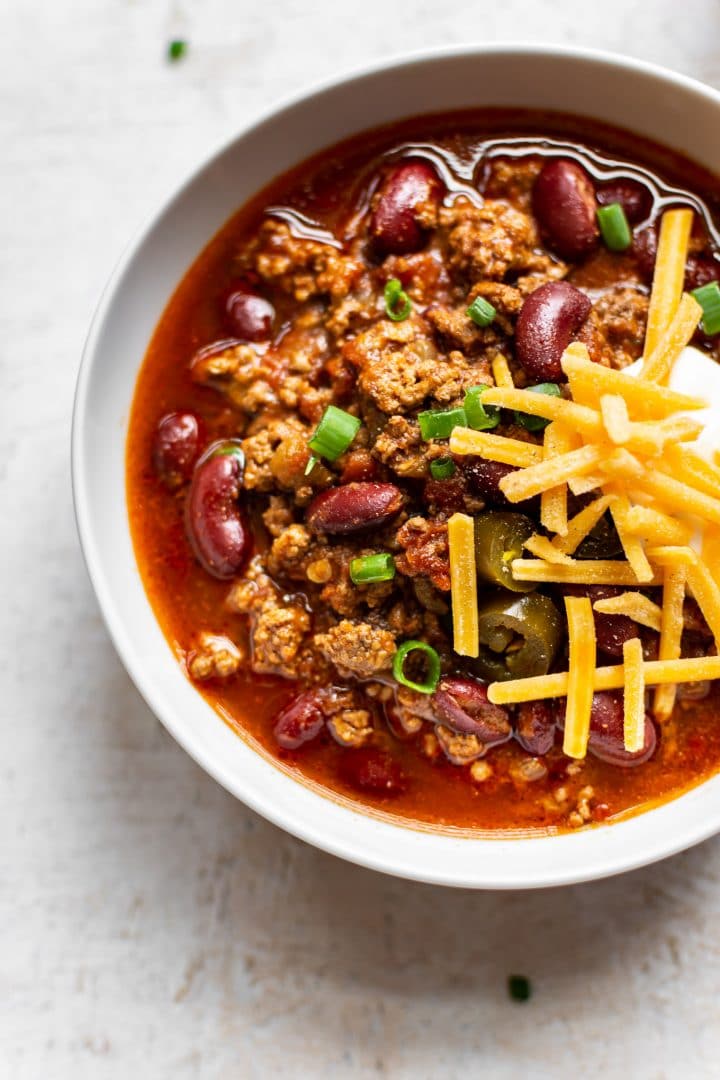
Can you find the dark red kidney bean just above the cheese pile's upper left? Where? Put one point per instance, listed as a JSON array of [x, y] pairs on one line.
[[549, 320]]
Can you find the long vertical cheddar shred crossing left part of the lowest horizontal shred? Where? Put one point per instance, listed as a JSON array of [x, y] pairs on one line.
[[581, 639]]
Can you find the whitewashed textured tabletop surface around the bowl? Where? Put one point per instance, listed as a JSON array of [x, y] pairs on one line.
[[151, 925]]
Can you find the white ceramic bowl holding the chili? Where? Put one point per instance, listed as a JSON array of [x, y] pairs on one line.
[[658, 104]]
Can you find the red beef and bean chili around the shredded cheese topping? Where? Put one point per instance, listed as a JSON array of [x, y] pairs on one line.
[[287, 578]]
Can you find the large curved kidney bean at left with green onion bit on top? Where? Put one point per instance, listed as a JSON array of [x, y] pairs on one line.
[[215, 522]]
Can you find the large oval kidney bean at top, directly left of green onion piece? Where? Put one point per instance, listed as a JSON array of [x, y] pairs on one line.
[[564, 202]]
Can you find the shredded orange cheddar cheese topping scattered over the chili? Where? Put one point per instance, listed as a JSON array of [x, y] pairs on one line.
[[629, 439]]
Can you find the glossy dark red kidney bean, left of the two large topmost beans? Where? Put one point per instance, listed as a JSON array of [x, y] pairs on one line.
[[397, 226]]
